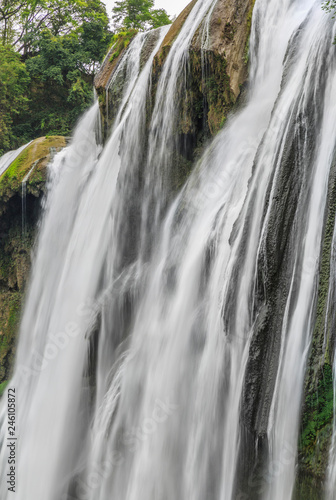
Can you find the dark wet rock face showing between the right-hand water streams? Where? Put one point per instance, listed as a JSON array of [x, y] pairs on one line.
[[277, 274]]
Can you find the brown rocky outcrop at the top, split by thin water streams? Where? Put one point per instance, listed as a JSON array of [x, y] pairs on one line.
[[215, 75]]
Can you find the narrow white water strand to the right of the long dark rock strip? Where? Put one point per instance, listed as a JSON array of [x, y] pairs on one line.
[[314, 110]]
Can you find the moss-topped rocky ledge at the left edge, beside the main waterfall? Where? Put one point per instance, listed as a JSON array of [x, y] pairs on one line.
[[18, 225]]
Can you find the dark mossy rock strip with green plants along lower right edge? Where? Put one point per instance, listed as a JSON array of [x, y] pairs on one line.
[[317, 415]]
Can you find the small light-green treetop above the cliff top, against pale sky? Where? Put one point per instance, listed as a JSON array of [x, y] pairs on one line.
[[138, 14]]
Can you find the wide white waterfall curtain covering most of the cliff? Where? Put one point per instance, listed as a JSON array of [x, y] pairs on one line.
[[143, 374]]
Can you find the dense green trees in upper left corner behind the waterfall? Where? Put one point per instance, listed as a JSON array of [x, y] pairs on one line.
[[46, 80]]
